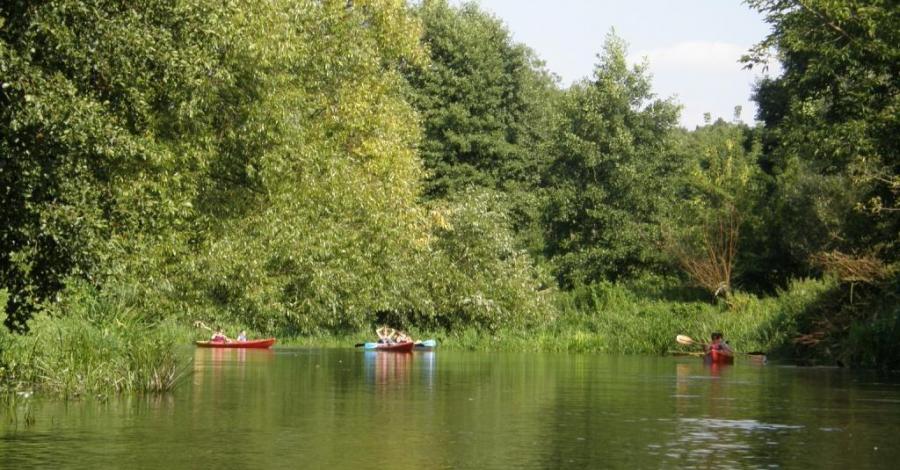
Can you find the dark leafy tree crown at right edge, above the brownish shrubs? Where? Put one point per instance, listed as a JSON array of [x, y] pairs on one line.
[[832, 123]]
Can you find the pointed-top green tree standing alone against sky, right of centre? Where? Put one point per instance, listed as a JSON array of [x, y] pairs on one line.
[[609, 179]]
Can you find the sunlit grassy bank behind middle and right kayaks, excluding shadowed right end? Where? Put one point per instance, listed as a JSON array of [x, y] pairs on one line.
[[617, 319]]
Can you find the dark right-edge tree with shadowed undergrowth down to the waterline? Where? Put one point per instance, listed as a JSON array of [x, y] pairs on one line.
[[832, 135]]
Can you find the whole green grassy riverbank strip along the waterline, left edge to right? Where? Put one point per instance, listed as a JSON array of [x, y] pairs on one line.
[[101, 349]]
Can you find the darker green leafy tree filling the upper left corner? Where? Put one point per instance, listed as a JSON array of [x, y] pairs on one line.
[[104, 111]]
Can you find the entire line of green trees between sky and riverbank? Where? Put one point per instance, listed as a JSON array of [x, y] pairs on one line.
[[316, 167]]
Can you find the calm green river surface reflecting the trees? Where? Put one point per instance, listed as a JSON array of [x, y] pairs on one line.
[[349, 409]]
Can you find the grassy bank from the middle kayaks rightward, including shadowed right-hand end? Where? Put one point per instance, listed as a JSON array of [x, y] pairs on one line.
[[811, 322]]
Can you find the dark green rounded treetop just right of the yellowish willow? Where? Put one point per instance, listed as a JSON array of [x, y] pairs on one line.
[[483, 100]]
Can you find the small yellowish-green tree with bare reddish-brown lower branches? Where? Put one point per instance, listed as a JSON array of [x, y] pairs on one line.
[[716, 228]]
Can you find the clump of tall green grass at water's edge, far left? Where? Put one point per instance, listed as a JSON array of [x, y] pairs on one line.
[[98, 348]]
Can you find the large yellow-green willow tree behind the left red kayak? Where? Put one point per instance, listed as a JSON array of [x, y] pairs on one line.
[[328, 227]]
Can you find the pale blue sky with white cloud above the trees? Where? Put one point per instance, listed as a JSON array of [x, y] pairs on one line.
[[692, 46]]
